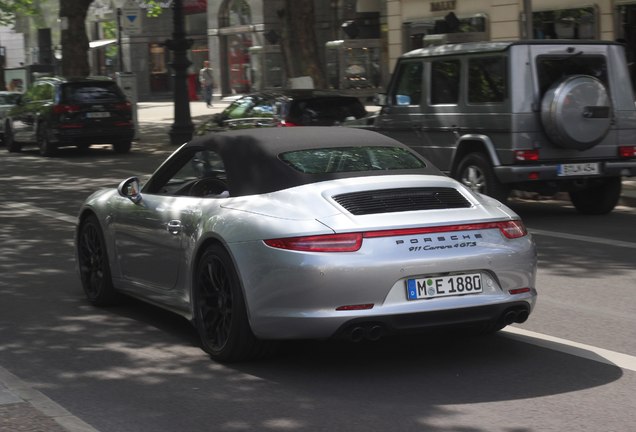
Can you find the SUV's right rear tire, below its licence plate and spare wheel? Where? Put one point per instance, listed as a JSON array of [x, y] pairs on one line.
[[599, 197]]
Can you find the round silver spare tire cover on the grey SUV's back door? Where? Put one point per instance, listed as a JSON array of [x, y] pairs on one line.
[[576, 112]]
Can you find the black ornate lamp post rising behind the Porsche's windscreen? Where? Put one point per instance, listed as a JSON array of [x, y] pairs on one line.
[[182, 128]]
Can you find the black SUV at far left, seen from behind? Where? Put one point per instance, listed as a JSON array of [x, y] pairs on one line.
[[57, 112]]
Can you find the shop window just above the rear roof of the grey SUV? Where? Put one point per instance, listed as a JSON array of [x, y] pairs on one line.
[[575, 23]]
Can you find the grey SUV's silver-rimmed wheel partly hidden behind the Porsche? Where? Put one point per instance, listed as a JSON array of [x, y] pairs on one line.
[[476, 173]]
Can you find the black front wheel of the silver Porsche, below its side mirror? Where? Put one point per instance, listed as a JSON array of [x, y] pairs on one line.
[[93, 264]]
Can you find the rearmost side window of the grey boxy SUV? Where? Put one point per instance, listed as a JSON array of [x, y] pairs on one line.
[[487, 80]]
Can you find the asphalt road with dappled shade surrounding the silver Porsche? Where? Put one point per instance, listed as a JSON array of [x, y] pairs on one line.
[[135, 368]]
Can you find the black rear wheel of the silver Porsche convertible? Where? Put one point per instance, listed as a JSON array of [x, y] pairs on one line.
[[220, 314]]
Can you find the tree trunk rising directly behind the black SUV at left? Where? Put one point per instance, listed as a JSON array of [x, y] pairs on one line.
[[74, 38]]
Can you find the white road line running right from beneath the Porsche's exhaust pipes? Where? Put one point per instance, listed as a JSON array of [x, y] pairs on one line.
[[624, 361]]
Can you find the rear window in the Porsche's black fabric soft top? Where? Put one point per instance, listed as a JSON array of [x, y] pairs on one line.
[[351, 159]]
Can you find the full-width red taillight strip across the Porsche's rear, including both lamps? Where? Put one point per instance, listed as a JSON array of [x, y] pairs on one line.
[[351, 242]]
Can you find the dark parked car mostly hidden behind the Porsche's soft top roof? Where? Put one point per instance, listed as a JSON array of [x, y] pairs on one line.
[[291, 108]]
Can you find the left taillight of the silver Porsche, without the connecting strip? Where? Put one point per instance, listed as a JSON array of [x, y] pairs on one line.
[[348, 242]]
